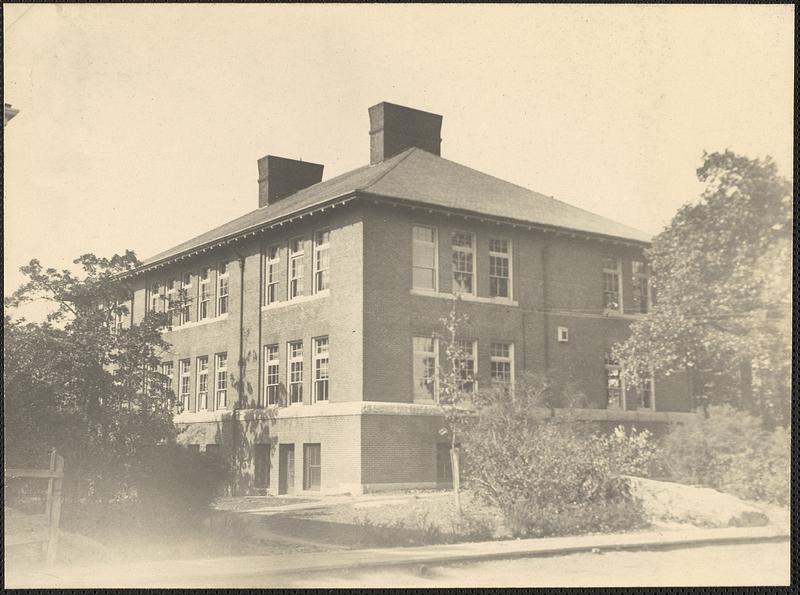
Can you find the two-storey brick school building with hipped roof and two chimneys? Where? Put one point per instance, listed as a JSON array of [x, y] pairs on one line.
[[306, 350]]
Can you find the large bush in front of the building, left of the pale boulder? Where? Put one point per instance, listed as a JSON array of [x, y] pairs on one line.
[[532, 468]]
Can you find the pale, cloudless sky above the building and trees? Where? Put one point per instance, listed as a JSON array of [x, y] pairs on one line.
[[140, 125]]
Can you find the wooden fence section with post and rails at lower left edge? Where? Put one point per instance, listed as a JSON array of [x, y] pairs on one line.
[[38, 528]]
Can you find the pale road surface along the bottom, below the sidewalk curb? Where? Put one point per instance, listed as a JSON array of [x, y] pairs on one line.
[[728, 565]]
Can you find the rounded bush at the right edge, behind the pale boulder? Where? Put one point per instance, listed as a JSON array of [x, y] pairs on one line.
[[731, 451]]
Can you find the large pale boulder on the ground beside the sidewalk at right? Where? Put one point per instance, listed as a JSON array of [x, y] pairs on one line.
[[704, 507]]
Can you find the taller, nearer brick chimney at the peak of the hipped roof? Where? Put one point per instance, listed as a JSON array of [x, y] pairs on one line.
[[395, 128]]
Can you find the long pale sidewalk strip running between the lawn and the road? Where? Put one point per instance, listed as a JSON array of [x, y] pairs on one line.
[[263, 570]]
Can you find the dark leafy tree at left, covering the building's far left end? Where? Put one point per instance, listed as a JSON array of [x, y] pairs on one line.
[[80, 382]]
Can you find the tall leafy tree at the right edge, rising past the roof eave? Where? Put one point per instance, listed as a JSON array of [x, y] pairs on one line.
[[721, 271]]
